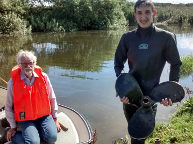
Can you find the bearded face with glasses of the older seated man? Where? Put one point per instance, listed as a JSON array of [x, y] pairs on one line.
[[27, 66]]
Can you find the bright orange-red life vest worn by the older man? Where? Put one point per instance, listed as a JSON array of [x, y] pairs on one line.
[[30, 102]]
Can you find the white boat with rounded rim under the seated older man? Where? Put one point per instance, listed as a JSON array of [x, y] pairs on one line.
[[78, 129]]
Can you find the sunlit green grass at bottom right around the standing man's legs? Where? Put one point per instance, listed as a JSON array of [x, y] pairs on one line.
[[178, 131]]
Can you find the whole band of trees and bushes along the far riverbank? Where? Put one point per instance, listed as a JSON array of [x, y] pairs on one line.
[[25, 16]]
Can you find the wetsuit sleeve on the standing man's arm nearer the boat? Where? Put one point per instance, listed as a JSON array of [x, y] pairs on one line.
[[120, 56]]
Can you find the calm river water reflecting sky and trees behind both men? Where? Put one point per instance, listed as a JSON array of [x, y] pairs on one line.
[[80, 67]]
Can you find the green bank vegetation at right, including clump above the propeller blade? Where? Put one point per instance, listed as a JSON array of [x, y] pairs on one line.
[[179, 129]]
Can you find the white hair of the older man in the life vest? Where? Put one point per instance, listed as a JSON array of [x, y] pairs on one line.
[[25, 53]]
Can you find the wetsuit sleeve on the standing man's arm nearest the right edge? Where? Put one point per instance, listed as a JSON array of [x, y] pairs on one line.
[[173, 58]]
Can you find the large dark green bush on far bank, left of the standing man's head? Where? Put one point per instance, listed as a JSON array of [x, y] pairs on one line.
[[71, 15]]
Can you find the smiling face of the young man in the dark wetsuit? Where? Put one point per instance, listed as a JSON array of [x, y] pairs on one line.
[[144, 16]]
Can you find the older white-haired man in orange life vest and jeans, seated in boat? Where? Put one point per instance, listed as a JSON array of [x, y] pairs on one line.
[[31, 102]]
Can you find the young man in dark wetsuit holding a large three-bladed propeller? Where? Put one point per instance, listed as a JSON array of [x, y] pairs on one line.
[[147, 49]]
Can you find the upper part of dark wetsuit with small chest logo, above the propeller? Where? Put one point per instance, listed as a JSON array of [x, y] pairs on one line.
[[147, 51]]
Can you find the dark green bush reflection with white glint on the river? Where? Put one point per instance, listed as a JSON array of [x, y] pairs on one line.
[[83, 51]]
